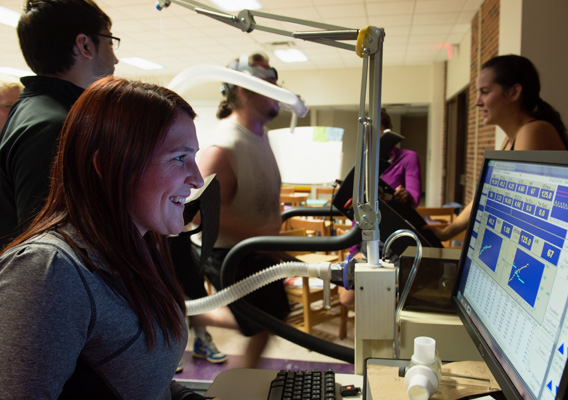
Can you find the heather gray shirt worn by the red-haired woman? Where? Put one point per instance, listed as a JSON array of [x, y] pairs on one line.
[[54, 311]]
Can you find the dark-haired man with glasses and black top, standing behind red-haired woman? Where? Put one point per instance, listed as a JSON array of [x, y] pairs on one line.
[[69, 45]]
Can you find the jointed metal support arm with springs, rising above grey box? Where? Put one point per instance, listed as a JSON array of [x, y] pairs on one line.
[[369, 46]]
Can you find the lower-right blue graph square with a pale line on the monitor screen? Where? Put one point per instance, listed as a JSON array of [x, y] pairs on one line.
[[525, 276]]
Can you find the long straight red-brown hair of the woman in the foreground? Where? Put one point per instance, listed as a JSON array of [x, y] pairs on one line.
[[116, 124]]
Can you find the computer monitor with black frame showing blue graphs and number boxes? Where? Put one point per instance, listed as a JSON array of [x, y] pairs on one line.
[[512, 286]]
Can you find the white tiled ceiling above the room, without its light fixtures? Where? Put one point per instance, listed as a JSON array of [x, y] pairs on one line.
[[177, 37]]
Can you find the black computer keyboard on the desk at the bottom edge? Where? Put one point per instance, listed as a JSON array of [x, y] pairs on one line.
[[303, 385]]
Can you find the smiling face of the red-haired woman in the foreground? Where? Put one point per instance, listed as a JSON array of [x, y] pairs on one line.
[[167, 180]]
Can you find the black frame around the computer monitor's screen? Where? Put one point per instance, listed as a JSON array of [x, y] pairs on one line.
[[500, 374]]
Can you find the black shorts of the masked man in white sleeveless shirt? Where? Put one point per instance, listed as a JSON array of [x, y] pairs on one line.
[[271, 298]]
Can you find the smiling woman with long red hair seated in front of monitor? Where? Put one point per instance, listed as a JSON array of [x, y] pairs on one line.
[[90, 304]]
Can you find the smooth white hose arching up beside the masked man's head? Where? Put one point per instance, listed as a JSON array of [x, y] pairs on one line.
[[198, 74]]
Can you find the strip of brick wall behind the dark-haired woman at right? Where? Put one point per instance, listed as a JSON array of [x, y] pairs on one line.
[[484, 45]]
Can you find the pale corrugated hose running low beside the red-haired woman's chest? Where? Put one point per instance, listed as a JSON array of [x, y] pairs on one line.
[[256, 281]]
